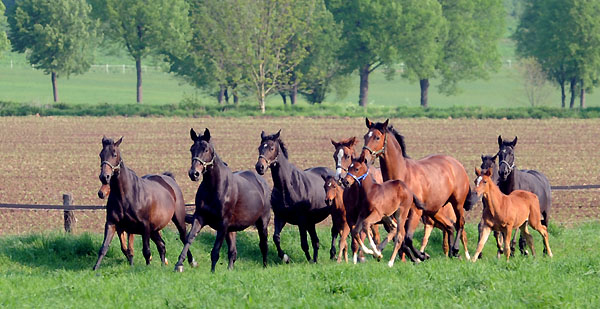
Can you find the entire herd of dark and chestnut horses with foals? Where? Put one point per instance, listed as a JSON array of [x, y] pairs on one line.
[[358, 196]]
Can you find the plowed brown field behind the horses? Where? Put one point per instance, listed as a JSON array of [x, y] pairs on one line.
[[43, 157]]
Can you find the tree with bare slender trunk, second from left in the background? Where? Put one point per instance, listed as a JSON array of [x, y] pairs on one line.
[[143, 26]]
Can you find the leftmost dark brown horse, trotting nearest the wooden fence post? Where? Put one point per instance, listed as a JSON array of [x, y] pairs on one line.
[[137, 205]]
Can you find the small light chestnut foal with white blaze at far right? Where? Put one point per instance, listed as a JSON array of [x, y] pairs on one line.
[[504, 212]]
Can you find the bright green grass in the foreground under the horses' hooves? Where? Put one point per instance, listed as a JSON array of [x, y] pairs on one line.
[[54, 270]]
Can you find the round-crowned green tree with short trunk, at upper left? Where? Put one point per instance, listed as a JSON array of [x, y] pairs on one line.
[[58, 36]]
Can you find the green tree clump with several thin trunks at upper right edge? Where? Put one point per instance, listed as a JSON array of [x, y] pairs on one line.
[[564, 37]]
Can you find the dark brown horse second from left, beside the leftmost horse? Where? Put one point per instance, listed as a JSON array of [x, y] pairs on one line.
[[226, 201]]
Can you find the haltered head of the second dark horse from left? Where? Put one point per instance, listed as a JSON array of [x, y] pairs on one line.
[[203, 154]]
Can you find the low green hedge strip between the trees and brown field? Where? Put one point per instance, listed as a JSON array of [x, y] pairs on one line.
[[193, 109]]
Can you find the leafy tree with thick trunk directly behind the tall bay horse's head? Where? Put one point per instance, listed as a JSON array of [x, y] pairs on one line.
[[371, 29]]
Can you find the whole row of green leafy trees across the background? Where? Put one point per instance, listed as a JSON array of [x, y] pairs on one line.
[[289, 47]]
